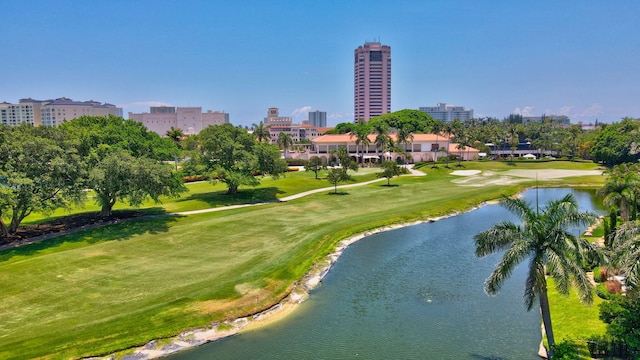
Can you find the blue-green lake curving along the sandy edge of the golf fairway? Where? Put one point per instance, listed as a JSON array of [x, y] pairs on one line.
[[410, 293]]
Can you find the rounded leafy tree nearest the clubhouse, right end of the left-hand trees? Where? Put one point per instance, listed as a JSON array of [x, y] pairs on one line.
[[229, 153]]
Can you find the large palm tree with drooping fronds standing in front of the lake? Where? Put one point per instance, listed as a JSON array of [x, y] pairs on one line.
[[543, 239]]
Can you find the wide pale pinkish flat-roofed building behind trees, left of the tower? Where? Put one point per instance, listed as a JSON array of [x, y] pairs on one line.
[[191, 120]]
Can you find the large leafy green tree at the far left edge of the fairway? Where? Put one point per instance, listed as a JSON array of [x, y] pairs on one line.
[[39, 172]]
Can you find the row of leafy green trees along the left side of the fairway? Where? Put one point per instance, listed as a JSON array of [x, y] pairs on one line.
[[47, 168]]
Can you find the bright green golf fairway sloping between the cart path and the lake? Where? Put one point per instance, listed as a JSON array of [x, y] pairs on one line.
[[115, 287]]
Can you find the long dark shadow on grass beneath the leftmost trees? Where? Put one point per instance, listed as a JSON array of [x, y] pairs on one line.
[[155, 222]]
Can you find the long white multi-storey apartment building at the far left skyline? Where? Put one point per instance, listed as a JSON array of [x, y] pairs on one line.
[[52, 112]]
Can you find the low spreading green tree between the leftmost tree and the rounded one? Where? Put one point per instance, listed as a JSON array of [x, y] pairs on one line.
[[120, 176]]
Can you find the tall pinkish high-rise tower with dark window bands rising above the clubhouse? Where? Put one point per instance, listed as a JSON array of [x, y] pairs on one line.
[[372, 81]]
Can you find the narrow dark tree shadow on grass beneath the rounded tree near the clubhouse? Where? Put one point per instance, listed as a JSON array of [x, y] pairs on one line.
[[244, 196]]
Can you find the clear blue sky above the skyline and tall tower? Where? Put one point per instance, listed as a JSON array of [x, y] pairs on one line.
[[578, 58]]
